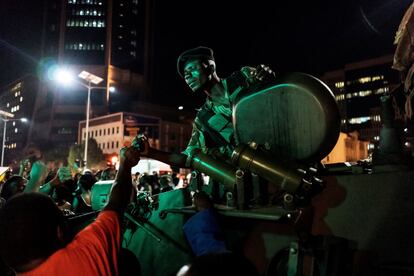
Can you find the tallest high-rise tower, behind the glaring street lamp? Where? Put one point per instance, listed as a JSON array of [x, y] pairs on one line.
[[103, 37]]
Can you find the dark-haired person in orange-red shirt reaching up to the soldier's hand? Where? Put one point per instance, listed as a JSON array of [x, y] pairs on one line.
[[32, 231]]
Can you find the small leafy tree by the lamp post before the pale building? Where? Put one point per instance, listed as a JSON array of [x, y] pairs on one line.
[[96, 157]]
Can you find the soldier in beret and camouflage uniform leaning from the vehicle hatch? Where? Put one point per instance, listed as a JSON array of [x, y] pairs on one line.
[[213, 132]]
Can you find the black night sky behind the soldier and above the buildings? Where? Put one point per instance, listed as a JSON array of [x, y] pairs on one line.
[[306, 36]]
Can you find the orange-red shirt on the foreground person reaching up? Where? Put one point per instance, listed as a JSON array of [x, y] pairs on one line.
[[93, 251]]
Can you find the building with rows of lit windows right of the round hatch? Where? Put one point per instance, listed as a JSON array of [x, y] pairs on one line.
[[358, 88]]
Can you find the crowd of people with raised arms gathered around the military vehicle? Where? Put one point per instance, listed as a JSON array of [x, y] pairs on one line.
[[34, 203]]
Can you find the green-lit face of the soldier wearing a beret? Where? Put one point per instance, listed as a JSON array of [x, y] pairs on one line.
[[195, 74]]
